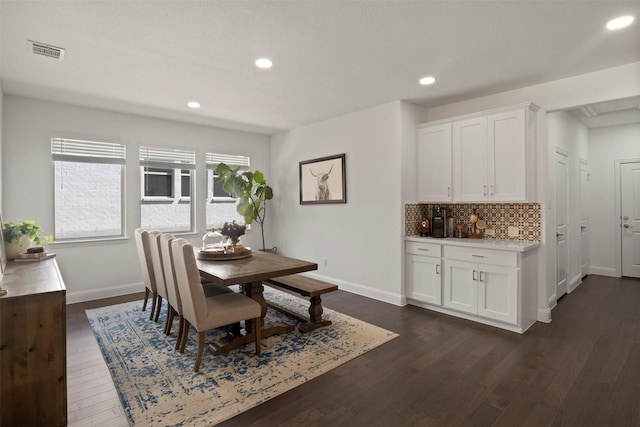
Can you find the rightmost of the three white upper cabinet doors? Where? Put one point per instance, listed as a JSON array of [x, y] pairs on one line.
[[507, 156]]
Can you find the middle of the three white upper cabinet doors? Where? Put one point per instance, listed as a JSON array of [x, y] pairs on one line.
[[470, 160]]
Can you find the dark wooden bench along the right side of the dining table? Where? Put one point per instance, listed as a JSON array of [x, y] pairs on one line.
[[308, 287]]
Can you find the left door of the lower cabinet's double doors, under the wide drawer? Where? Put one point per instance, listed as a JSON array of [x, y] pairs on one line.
[[461, 289]]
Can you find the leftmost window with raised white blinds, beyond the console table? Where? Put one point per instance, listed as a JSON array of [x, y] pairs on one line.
[[88, 189]]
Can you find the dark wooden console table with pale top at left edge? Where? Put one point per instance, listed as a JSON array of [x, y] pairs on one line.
[[33, 345]]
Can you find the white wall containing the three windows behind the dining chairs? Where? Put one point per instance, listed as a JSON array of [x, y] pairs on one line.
[[97, 270]]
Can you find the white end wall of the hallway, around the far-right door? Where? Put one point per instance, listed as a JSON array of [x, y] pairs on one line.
[[606, 145]]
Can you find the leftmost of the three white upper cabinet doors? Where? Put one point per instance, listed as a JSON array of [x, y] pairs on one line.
[[434, 164]]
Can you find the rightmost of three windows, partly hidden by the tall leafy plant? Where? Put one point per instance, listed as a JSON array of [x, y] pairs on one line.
[[221, 206]]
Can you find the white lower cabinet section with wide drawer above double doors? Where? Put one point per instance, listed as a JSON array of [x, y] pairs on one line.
[[482, 282]]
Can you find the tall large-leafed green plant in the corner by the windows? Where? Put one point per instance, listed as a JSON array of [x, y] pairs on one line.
[[251, 190]]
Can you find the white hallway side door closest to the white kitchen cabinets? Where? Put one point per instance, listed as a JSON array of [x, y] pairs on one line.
[[561, 172]]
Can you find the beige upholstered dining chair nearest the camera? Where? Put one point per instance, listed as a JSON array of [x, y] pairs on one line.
[[212, 312]]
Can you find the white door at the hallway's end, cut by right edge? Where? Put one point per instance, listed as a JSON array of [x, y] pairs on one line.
[[630, 210]]
